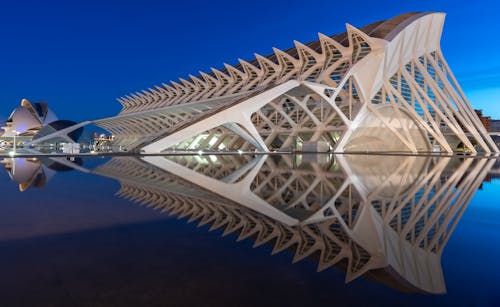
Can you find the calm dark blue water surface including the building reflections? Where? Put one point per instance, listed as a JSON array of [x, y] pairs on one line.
[[244, 230]]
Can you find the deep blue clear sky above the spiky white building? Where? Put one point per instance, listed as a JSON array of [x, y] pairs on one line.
[[81, 56]]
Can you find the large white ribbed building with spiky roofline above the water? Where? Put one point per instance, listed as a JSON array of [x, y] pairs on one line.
[[384, 87]]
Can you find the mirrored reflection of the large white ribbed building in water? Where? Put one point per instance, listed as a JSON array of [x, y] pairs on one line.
[[384, 218]]
